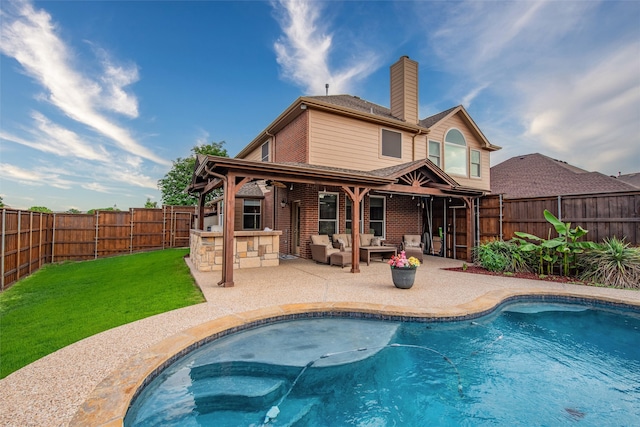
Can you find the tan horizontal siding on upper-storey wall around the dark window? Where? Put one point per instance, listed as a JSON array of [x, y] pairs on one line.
[[352, 144]]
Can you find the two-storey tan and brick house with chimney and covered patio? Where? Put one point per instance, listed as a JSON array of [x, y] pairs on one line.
[[323, 155]]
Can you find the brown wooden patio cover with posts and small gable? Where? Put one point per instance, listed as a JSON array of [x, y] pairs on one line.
[[213, 172]]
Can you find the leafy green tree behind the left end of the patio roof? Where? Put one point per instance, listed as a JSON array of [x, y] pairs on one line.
[[174, 183]]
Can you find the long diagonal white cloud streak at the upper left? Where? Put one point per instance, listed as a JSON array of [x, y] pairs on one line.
[[30, 36]]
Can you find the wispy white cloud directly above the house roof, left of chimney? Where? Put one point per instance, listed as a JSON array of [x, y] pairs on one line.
[[303, 51]]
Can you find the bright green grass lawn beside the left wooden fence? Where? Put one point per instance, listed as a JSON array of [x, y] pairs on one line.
[[64, 303]]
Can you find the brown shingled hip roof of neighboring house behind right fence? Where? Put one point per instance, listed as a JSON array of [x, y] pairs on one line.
[[536, 175]]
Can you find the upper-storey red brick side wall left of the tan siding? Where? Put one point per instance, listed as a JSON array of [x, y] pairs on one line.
[[292, 141]]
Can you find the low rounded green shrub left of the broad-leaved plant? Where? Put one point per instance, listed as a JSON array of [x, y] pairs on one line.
[[502, 256]]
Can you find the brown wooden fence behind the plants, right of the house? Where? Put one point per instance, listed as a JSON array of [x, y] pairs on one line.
[[603, 215]]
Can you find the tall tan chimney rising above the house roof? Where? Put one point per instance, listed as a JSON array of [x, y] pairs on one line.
[[404, 90]]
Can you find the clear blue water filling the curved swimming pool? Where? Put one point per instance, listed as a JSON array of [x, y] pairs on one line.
[[527, 364]]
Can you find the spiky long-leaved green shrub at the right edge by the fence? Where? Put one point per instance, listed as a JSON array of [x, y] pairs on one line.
[[612, 263]]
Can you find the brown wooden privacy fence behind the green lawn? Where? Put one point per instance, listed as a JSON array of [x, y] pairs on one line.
[[31, 239]]
